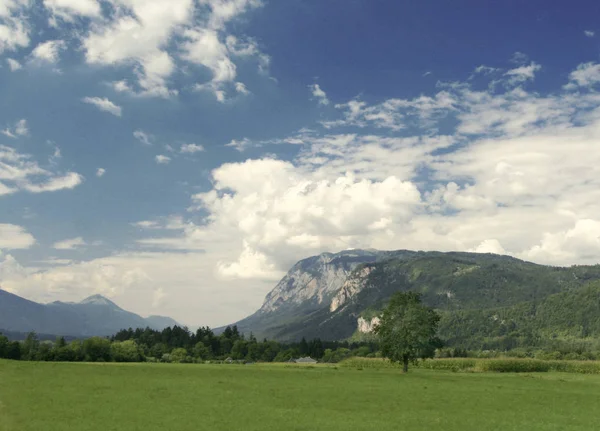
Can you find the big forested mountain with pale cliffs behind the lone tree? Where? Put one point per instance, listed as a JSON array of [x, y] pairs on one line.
[[481, 297]]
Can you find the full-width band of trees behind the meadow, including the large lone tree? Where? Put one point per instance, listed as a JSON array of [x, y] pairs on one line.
[[408, 331]]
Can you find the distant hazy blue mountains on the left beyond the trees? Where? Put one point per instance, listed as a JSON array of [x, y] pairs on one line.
[[95, 315]]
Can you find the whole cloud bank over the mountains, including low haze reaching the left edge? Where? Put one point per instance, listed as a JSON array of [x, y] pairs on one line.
[[515, 172]]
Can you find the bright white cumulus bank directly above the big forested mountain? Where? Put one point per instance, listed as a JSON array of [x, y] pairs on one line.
[[517, 176]]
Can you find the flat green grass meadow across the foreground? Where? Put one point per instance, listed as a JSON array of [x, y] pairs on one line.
[[152, 397]]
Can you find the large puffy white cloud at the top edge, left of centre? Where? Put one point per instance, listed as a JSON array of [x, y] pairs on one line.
[[139, 32]]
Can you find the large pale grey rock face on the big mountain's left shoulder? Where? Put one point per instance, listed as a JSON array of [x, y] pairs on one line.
[[314, 281]]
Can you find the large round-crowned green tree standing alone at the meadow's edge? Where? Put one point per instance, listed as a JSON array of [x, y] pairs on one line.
[[407, 329]]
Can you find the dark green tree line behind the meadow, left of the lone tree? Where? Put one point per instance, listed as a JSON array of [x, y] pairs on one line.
[[179, 345]]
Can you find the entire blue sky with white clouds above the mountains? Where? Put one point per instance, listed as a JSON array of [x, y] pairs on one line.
[[178, 157]]
